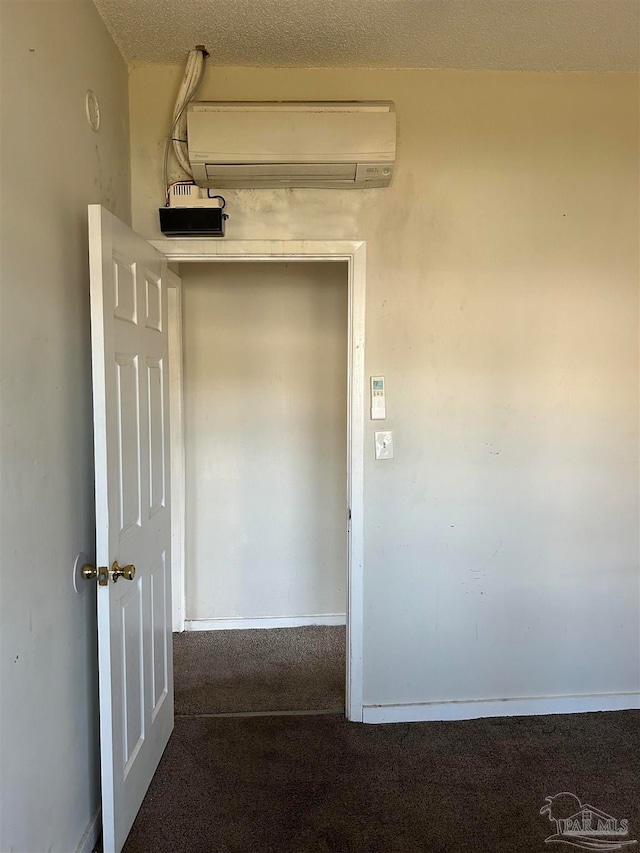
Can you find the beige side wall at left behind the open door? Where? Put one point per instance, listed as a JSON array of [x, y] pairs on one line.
[[52, 166]]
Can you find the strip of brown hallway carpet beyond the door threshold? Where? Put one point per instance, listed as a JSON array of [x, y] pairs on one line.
[[280, 669]]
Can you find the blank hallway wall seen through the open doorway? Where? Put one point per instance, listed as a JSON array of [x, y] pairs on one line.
[[265, 393]]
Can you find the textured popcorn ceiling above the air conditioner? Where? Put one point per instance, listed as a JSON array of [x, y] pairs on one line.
[[537, 35]]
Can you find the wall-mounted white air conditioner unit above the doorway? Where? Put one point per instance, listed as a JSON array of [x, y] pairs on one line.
[[345, 145]]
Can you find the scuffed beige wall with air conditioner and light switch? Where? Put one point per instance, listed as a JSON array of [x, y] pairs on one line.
[[501, 544]]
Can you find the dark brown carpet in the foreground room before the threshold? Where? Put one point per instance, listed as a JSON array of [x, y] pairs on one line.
[[322, 785]]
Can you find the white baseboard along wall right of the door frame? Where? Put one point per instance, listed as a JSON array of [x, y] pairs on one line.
[[472, 710]]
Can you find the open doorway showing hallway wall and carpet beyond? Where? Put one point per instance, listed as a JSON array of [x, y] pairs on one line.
[[266, 514]]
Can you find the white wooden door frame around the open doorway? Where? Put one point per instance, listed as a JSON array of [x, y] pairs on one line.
[[353, 252]]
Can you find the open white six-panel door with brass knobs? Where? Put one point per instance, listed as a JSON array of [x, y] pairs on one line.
[[133, 523]]
